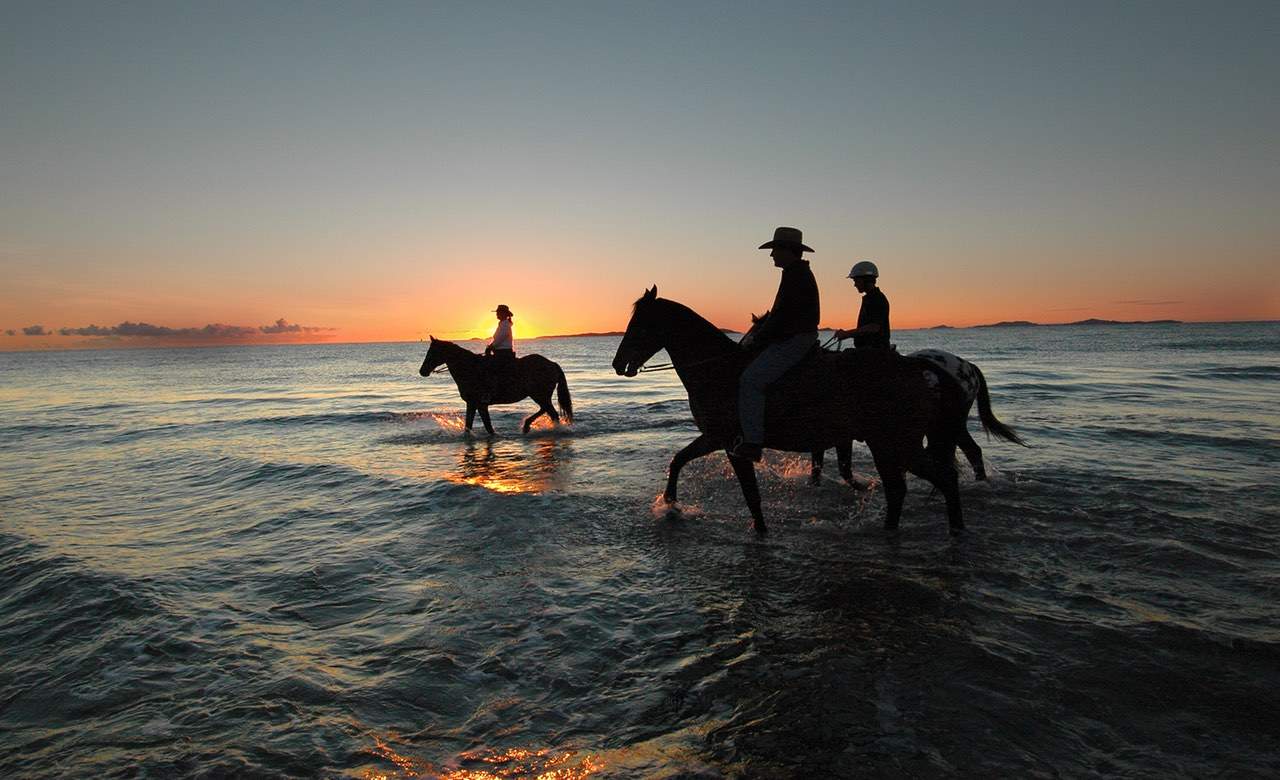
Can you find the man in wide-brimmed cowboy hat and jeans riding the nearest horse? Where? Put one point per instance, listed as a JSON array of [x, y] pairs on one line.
[[788, 334]]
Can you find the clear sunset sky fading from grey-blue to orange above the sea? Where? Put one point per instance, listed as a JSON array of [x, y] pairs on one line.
[[248, 172]]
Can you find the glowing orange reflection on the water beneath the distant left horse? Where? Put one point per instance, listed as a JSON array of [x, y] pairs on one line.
[[513, 467]]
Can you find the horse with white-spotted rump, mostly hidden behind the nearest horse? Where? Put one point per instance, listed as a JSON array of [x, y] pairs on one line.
[[966, 386]]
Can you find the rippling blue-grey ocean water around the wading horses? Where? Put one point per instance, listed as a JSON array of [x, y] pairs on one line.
[[291, 562]]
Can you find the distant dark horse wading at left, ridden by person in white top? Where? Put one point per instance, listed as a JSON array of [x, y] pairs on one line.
[[532, 377]]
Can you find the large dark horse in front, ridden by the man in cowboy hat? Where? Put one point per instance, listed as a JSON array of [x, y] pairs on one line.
[[828, 400]]
